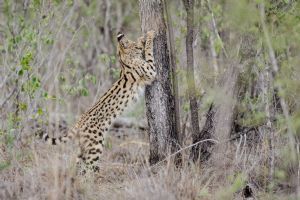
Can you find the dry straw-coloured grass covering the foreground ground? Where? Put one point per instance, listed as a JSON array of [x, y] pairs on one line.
[[37, 171]]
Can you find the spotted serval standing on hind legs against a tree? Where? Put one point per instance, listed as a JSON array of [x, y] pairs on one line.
[[137, 70]]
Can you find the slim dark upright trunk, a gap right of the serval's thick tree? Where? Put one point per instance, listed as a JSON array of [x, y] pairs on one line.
[[189, 6]]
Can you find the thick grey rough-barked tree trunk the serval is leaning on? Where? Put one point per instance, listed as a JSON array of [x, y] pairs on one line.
[[159, 98]]
